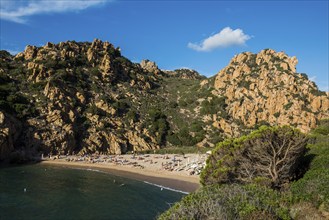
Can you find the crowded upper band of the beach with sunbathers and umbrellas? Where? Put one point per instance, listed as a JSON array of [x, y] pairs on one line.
[[188, 164]]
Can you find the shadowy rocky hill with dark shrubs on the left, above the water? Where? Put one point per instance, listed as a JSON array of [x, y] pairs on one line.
[[79, 96]]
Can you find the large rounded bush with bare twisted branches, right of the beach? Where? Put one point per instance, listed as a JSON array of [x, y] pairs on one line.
[[273, 153]]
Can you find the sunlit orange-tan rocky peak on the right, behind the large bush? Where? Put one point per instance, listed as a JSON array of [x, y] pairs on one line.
[[265, 87]]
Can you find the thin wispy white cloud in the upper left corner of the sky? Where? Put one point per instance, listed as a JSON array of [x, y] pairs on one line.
[[19, 10]]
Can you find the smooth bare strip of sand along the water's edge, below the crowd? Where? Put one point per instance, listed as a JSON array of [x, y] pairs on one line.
[[174, 180]]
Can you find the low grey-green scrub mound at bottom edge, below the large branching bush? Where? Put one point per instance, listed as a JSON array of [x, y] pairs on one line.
[[230, 202]]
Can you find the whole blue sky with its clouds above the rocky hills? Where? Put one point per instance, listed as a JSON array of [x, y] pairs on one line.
[[201, 35]]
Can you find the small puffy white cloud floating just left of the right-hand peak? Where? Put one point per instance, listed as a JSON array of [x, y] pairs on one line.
[[225, 38]]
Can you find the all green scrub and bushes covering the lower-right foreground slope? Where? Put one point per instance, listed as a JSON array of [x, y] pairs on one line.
[[305, 196]]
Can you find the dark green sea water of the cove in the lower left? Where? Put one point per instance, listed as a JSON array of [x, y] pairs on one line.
[[50, 192]]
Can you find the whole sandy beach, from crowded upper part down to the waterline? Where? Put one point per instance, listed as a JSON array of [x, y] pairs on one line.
[[179, 172]]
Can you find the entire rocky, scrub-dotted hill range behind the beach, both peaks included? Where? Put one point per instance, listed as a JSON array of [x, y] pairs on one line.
[[87, 98]]
